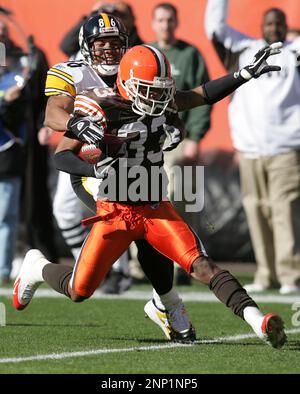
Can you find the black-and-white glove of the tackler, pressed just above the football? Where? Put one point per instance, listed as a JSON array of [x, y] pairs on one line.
[[85, 129]]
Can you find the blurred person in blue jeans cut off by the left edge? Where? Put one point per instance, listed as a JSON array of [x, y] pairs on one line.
[[12, 135]]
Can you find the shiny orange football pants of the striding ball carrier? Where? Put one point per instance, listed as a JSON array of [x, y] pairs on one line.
[[117, 225]]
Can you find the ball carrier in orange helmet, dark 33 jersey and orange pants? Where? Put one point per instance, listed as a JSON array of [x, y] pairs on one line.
[[145, 85]]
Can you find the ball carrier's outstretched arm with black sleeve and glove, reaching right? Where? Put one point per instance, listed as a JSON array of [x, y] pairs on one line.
[[216, 90]]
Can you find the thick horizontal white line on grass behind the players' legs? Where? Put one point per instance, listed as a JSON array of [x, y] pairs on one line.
[[146, 295]]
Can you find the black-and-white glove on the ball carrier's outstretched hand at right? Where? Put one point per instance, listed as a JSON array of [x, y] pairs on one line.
[[259, 65]]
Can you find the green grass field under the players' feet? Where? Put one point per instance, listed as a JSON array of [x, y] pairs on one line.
[[128, 343]]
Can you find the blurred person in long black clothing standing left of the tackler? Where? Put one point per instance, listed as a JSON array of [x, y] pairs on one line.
[[37, 205]]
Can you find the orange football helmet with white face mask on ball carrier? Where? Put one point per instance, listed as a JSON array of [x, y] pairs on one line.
[[144, 77]]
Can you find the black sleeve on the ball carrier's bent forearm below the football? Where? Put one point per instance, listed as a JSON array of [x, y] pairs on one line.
[[69, 162]]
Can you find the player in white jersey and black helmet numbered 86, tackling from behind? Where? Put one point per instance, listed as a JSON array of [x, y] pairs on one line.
[[103, 41]]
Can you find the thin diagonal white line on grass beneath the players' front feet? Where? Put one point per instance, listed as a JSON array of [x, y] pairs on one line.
[[60, 356]]
